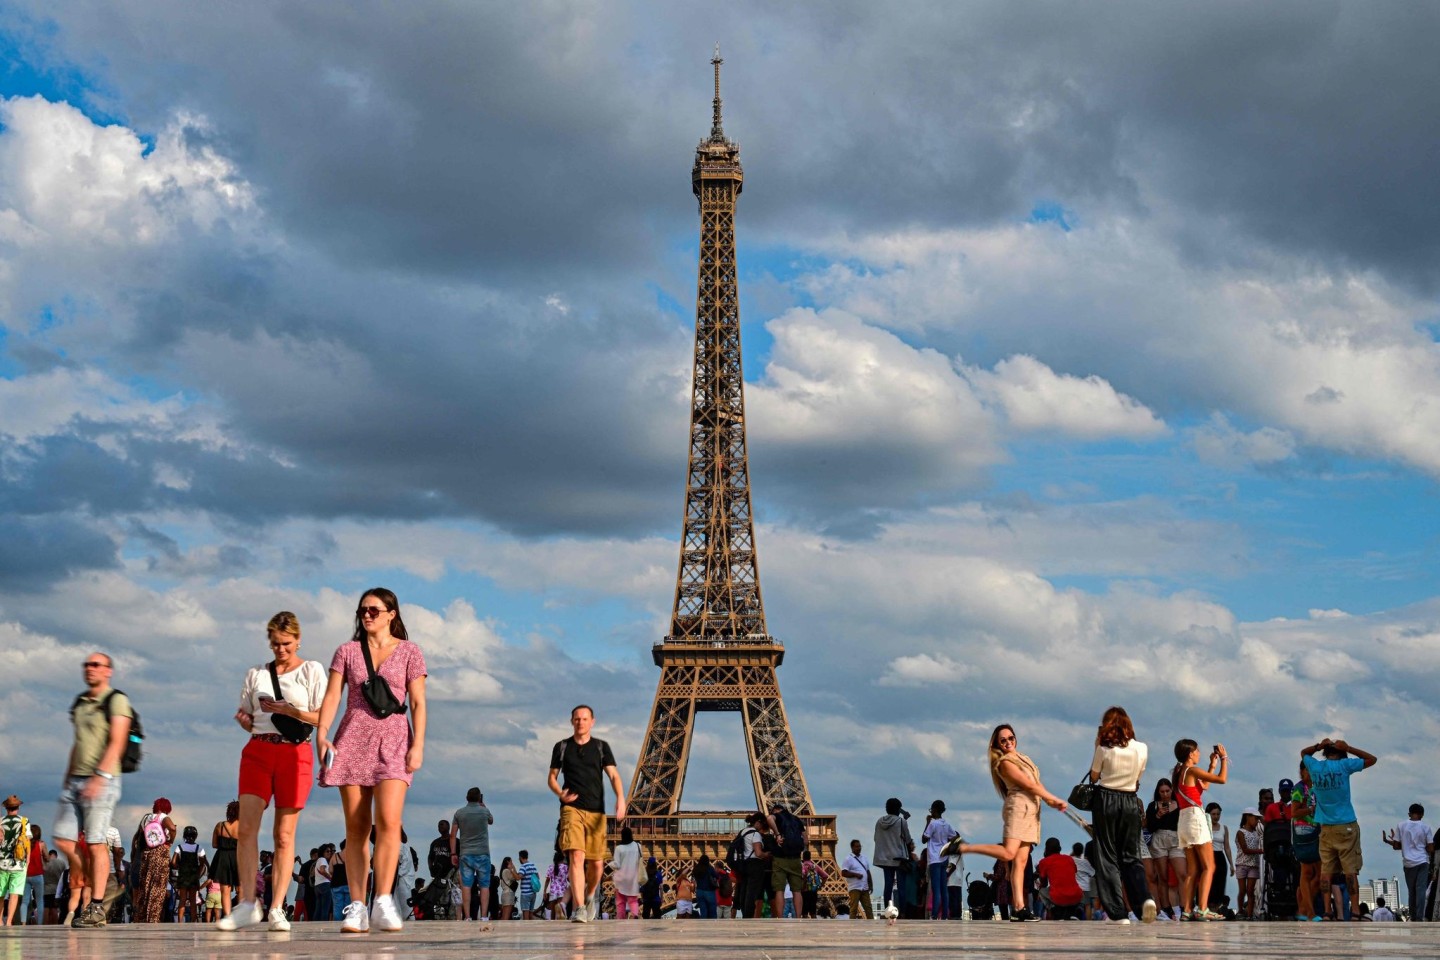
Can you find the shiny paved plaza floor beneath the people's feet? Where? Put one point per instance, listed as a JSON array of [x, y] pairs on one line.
[[758, 941]]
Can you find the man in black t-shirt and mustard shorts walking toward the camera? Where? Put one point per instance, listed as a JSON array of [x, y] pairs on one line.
[[585, 762]]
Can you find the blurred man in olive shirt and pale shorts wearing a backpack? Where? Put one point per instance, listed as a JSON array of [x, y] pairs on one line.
[[90, 792]]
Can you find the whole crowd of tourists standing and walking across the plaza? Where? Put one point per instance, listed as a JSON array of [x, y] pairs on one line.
[[1297, 854]]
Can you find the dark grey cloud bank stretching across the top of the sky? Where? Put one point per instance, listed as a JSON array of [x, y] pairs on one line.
[[505, 142]]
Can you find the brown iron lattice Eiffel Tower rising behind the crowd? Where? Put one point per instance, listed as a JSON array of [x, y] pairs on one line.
[[719, 656]]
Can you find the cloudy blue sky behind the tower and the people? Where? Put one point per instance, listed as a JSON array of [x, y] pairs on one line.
[[1091, 353]]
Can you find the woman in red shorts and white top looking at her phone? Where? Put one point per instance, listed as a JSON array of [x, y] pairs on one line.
[[276, 764]]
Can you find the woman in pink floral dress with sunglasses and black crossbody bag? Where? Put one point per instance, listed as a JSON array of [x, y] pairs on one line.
[[372, 759]]
